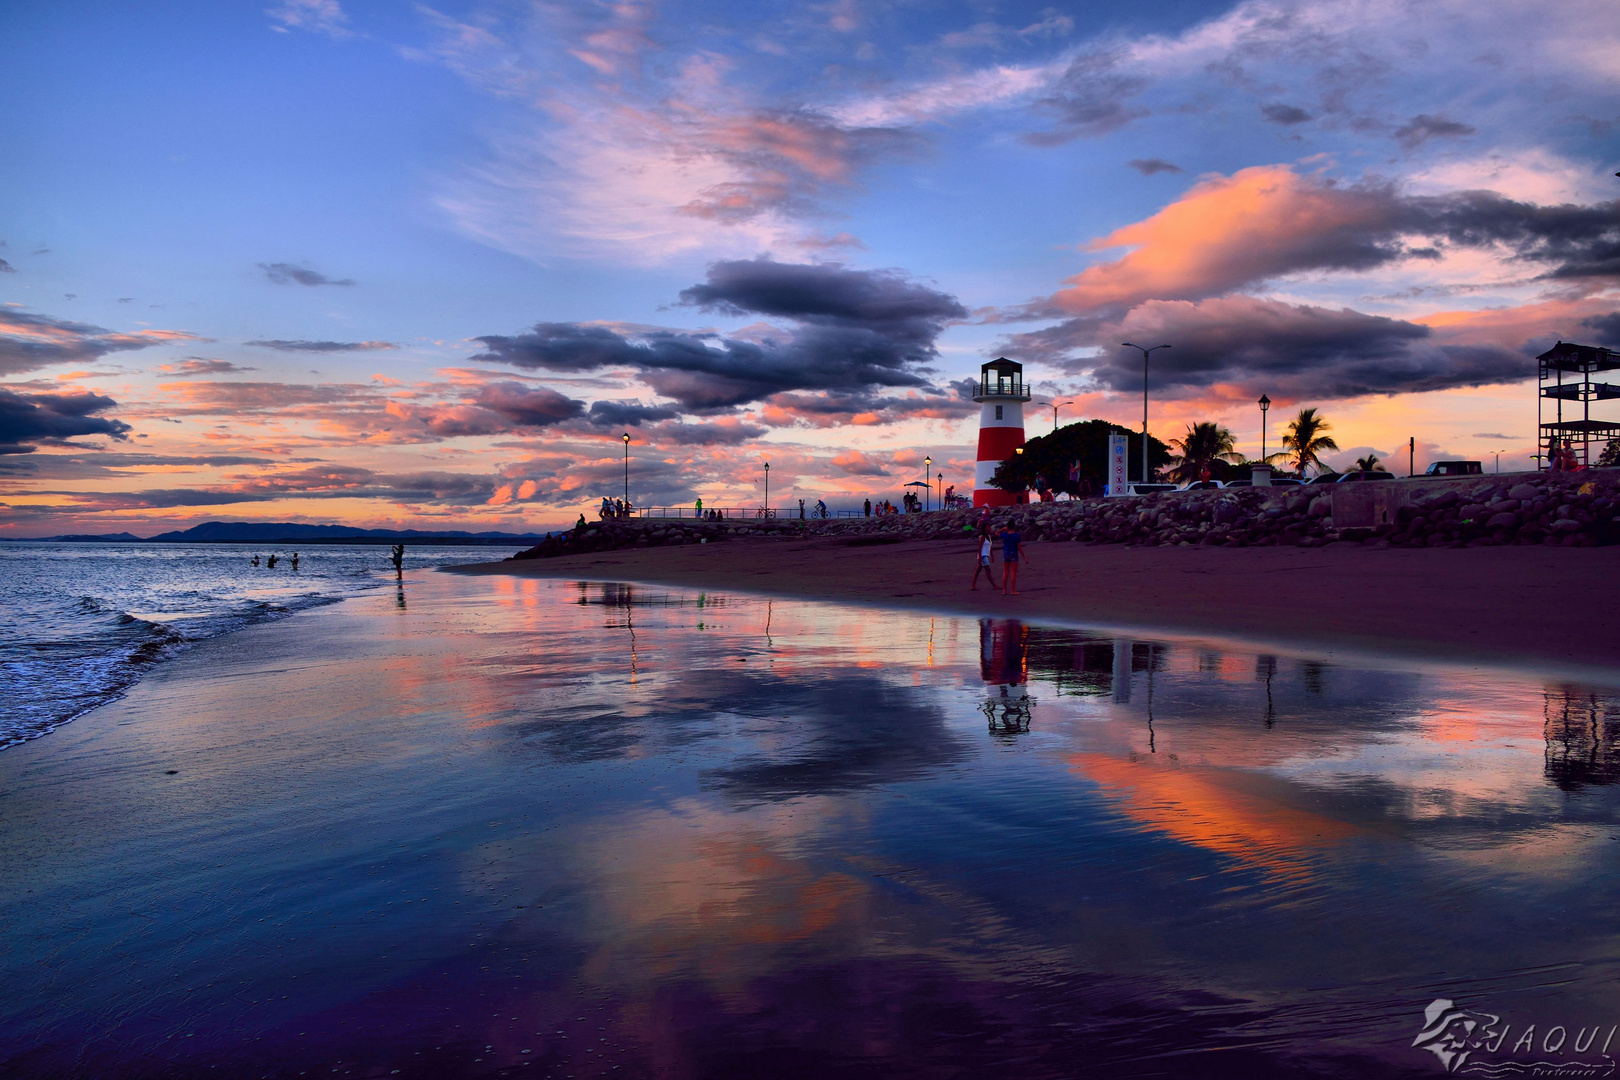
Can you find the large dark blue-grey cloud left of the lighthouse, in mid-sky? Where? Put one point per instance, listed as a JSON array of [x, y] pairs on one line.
[[855, 331]]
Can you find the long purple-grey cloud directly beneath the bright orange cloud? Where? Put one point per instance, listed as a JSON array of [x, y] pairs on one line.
[[1285, 351]]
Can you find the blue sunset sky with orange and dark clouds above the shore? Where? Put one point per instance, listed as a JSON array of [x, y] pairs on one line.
[[425, 265]]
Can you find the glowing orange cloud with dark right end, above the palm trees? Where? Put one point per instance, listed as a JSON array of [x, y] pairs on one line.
[[1269, 221]]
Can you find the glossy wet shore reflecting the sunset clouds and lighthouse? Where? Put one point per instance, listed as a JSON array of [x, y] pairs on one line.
[[495, 827]]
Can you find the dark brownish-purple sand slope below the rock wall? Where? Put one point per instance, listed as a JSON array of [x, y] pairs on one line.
[[1490, 605]]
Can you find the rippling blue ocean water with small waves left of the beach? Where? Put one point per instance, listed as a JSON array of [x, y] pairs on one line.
[[80, 624]]
